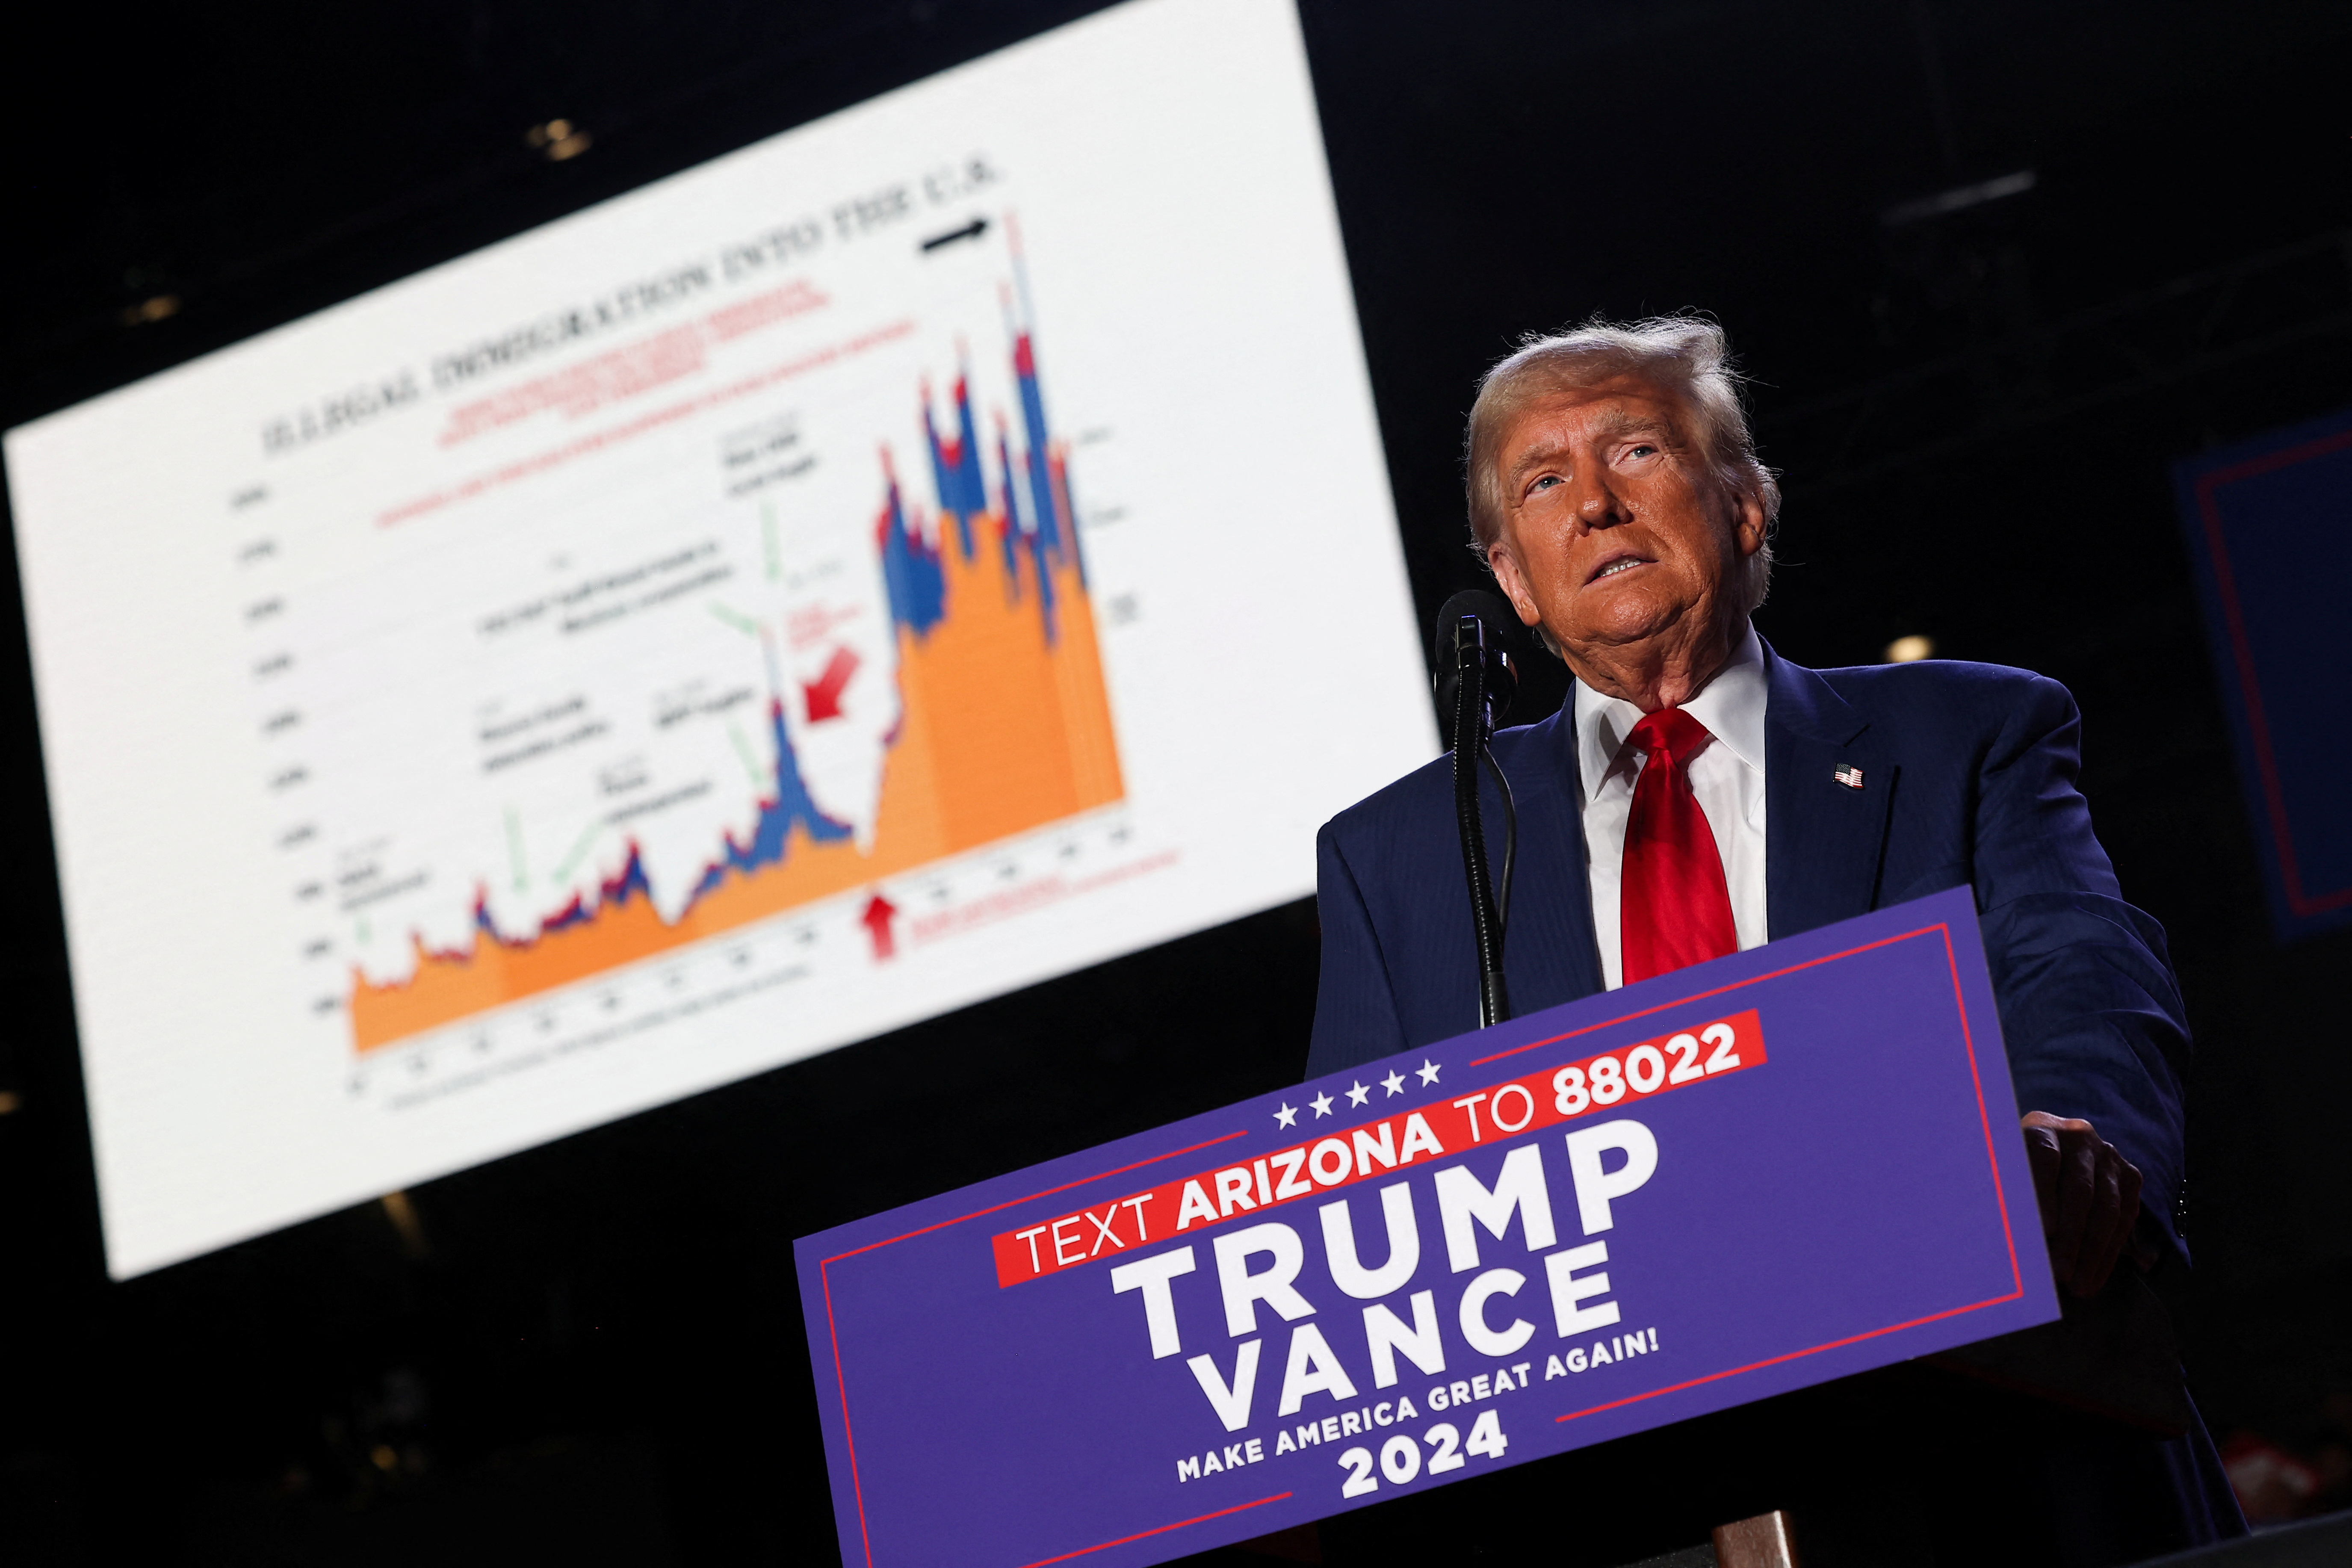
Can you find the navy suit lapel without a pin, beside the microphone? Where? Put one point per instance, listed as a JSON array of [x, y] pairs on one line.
[[1549, 951]]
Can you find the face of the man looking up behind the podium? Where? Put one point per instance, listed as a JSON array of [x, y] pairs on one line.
[[1615, 530]]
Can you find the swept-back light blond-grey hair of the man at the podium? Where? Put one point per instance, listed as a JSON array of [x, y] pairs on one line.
[[1685, 356]]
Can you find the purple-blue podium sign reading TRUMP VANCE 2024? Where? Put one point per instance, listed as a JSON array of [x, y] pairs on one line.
[[1709, 1188]]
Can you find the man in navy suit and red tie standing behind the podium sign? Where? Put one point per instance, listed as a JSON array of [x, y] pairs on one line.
[[1702, 796]]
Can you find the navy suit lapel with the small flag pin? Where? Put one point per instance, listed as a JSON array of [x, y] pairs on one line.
[[1824, 838]]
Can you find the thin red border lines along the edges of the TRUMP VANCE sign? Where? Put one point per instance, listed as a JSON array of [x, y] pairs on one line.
[[841, 1379]]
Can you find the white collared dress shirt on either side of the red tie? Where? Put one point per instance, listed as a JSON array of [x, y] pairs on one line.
[[1728, 777]]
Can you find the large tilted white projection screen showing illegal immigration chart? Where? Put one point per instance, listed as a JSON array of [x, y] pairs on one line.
[[883, 568]]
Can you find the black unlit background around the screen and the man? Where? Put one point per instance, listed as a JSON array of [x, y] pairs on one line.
[[594, 1351]]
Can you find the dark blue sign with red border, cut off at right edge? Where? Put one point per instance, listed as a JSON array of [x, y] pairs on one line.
[[2271, 537]]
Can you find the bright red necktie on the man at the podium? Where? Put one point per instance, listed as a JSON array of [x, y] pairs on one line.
[[1673, 904]]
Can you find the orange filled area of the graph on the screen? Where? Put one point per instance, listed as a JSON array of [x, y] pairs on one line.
[[1005, 728]]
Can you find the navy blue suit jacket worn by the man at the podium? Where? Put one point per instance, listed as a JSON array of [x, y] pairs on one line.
[[1967, 779]]
